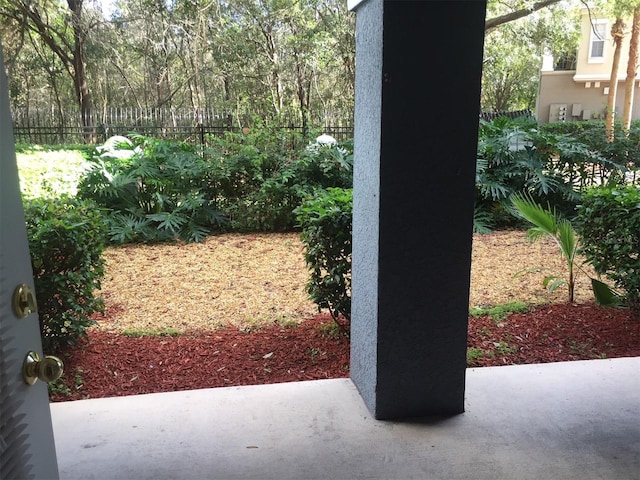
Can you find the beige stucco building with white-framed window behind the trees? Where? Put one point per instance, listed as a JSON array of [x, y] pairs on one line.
[[577, 89]]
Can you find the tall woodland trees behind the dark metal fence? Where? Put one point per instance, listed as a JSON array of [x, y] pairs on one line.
[[273, 58]]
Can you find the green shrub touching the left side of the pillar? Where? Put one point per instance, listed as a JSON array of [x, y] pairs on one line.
[[326, 233]]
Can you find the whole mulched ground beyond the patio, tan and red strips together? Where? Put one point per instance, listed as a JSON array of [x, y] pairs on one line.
[[233, 311]]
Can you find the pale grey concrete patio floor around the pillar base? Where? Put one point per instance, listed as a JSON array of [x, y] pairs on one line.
[[574, 420]]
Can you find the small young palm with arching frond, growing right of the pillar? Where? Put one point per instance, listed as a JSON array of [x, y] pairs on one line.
[[548, 223]]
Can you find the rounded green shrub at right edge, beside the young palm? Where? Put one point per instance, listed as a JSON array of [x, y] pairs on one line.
[[609, 224]]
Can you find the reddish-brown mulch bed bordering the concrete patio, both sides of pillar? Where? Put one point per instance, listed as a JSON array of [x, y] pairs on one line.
[[113, 365]]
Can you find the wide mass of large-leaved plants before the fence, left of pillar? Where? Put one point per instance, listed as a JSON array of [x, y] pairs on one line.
[[157, 190]]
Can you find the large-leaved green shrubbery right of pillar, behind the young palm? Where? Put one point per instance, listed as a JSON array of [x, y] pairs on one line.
[[550, 165]]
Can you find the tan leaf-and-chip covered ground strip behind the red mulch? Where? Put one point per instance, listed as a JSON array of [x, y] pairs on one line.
[[252, 280]]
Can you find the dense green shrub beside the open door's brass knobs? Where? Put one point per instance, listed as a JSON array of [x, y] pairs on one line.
[[66, 239]]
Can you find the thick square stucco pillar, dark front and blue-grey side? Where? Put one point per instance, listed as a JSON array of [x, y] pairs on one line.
[[418, 68]]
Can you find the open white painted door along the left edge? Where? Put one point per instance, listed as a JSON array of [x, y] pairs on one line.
[[27, 449]]
